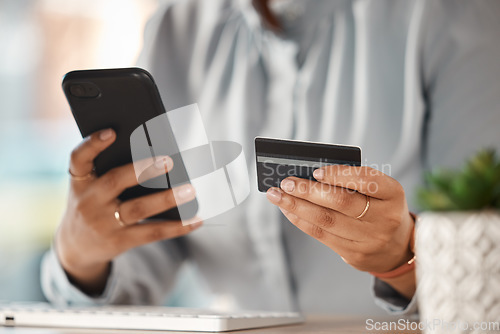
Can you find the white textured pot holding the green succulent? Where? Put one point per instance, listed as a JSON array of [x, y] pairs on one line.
[[458, 270]]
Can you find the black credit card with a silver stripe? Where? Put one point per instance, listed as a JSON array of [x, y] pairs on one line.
[[278, 159]]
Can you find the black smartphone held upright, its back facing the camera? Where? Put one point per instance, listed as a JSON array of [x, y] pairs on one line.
[[123, 100]]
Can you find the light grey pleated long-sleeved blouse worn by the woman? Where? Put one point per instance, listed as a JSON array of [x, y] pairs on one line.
[[414, 83]]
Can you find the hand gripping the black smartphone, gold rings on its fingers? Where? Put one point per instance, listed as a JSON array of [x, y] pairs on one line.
[[90, 236]]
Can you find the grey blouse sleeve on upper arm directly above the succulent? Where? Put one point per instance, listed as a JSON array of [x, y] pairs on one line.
[[462, 81]]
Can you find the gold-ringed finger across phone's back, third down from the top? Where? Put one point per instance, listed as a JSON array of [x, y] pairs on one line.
[[135, 210]]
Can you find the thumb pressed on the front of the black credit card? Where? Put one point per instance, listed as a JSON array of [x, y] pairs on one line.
[[365, 180]]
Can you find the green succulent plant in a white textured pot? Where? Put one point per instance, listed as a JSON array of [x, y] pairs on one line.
[[458, 248]]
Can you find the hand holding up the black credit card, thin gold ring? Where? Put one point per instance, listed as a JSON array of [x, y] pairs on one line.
[[327, 210]]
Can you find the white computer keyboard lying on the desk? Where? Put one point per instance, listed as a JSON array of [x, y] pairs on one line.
[[140, 318]]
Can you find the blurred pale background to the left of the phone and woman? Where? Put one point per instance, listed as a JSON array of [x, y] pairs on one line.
[[41, 40]]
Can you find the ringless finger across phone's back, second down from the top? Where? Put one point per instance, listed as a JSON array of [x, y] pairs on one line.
[[114, 182]]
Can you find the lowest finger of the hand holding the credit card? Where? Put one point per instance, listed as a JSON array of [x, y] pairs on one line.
[[338, 244]]
